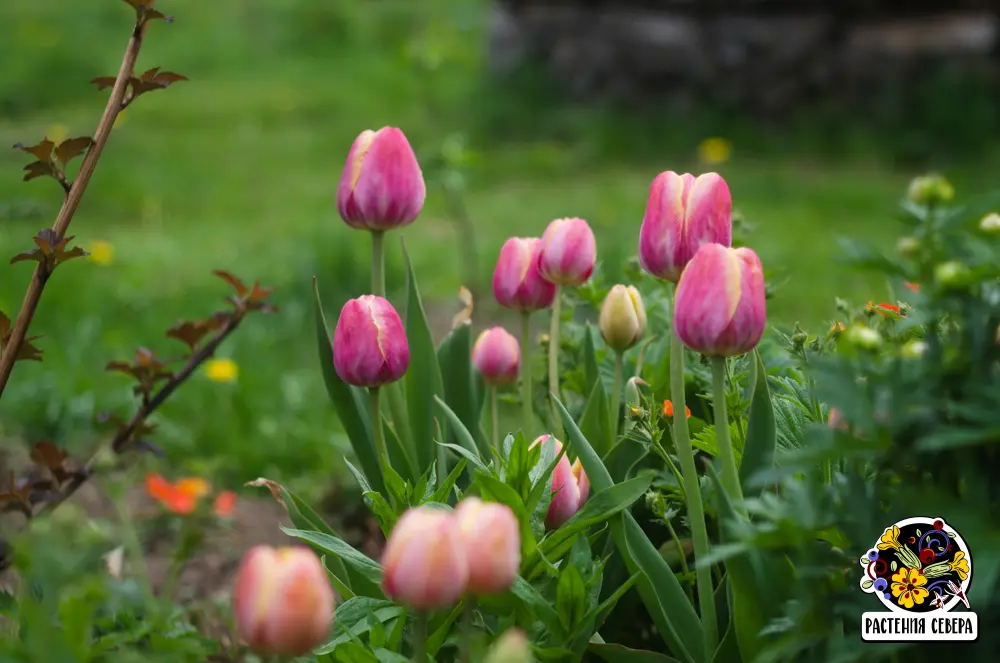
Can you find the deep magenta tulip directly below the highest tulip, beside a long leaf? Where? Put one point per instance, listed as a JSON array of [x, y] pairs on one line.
[[369, 344]]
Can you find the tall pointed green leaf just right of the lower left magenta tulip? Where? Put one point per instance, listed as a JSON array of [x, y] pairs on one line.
[[423, 377]]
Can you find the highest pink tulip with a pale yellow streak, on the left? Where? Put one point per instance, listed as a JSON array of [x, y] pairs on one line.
[[381, 187]]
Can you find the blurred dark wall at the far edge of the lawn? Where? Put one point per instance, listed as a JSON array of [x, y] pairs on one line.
[[766, 61]]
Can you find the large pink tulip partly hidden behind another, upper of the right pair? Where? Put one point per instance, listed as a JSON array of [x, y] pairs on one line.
[[684, 212]]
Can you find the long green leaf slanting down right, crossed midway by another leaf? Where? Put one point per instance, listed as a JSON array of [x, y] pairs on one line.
[[662, 594]]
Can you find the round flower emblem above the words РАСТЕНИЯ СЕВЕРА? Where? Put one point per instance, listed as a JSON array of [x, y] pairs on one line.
[[918, 565]]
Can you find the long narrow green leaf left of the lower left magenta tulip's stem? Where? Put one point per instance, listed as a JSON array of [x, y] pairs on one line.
[[349, 401]]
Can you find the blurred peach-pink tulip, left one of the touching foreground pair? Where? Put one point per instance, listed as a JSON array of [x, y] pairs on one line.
[[424, 560]]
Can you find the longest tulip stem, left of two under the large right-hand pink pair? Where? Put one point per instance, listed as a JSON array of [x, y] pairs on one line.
[[692, 493]]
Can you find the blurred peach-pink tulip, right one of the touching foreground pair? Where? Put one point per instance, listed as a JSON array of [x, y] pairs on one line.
[[491, 537]]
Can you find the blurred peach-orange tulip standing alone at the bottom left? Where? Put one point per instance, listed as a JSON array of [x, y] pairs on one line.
[[283, 602]]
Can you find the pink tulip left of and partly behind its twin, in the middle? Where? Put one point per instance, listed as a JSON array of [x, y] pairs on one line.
[[517, 283]]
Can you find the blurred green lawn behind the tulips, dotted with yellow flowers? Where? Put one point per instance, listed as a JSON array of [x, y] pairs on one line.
[[237, 168]]
